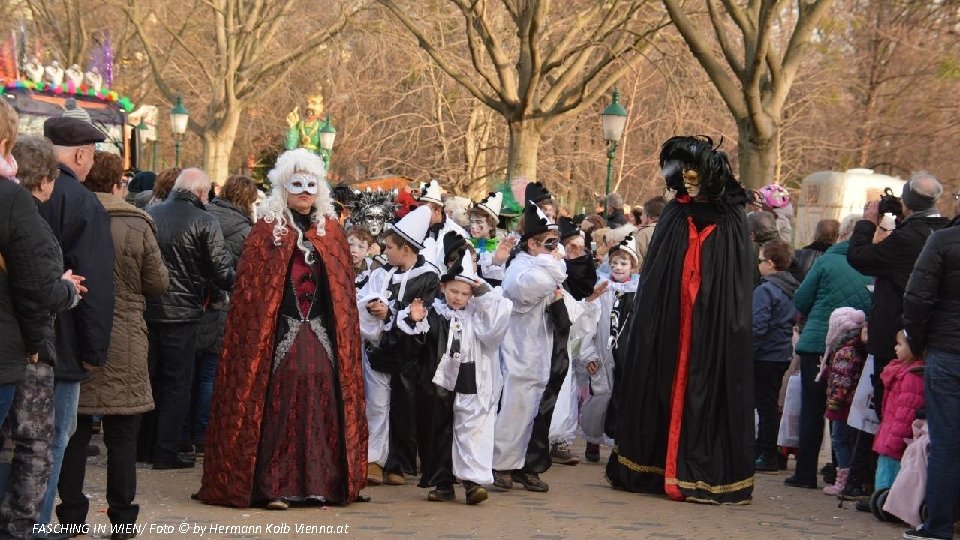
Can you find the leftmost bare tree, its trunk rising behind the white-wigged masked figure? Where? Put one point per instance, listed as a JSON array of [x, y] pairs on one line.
[[228, 54]]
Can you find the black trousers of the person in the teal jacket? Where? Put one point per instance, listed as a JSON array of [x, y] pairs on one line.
[[813, 404]]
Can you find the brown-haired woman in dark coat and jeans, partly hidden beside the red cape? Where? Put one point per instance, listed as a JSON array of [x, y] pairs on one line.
[[234, 211]]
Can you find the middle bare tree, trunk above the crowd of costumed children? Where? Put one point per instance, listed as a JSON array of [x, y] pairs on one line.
[[536, 67]]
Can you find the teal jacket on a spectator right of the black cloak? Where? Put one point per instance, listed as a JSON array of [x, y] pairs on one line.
[[831, 283]]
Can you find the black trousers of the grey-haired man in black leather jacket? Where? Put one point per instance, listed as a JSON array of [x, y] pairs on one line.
[[173, 352]]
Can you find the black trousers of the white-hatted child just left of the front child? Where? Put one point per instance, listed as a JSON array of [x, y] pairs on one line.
[[404, 412]]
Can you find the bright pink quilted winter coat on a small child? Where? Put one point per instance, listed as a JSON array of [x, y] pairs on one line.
[[902, 396]]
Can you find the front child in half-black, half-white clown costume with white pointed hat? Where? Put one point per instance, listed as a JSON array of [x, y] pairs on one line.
[[460, 336]]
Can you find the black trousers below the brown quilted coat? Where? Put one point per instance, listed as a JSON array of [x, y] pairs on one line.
[[120, 437]]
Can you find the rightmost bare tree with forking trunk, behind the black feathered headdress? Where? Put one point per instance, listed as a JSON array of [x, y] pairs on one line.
[[753, 75]]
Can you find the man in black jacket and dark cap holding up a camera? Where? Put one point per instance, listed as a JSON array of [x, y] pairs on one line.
[[891, 262]]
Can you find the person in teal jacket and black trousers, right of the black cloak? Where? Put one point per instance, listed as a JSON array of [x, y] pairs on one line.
[[831, 283]]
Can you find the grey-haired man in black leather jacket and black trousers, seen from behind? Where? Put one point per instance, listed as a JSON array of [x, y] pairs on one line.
[[194, 251]]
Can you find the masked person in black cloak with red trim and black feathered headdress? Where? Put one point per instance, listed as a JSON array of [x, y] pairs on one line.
[[684, 397]]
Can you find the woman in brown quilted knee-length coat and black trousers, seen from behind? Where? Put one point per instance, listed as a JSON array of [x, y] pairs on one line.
[[120, 391]]
